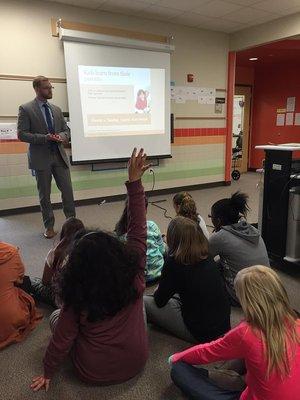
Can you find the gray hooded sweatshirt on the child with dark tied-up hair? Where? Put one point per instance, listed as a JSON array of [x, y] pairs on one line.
[[239, 246]]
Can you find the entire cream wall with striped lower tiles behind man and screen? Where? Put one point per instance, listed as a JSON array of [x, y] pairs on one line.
[[28, 48]]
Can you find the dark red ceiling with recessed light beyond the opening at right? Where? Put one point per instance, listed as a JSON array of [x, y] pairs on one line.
[[283, 52]]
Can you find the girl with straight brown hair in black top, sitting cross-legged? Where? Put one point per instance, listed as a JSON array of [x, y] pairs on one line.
[[191, 301]]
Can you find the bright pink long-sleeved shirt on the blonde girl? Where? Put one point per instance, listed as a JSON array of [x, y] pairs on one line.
[[243, 342]]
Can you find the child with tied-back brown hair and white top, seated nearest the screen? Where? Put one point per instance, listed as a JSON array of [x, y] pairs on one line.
[[185, 206]]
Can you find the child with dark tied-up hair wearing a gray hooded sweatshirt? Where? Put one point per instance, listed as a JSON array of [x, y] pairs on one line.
[[235, 241]]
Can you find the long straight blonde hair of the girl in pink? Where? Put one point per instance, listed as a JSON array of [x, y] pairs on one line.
[[267, 309]]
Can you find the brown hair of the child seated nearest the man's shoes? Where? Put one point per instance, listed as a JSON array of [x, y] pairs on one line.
[[69, 229]]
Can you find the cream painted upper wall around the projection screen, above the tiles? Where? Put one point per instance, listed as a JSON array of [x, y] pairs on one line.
[[28, 48]]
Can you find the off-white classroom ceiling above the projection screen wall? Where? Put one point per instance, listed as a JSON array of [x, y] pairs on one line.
[[219, 15]]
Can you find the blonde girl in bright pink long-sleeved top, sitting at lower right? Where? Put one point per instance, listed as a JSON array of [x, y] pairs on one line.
[[268, 343]]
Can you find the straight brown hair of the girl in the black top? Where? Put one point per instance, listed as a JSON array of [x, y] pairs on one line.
[[186, 241]]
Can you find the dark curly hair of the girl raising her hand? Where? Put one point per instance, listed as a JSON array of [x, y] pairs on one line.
[[98, 278]]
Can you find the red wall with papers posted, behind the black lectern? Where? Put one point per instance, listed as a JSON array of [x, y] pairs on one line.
[[272, 85]]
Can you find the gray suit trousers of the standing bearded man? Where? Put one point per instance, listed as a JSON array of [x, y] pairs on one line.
[[61, 173]]
